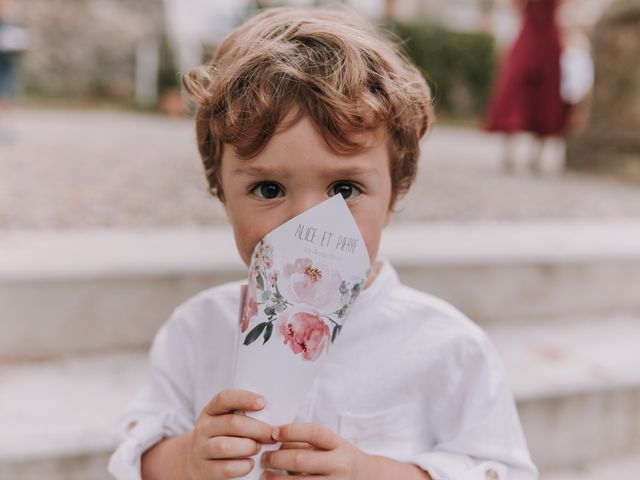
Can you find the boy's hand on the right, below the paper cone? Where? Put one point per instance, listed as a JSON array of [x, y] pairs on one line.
[[322, 452]]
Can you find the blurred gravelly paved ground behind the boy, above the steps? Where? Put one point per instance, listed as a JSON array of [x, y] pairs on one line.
[[88, 168]]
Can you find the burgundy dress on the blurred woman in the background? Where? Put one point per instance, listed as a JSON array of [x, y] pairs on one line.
[[526, 96]]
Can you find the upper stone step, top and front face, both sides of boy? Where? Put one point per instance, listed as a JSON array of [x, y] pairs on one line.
[[87, 291]]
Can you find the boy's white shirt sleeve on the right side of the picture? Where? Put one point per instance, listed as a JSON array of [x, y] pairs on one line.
[[479, 435]]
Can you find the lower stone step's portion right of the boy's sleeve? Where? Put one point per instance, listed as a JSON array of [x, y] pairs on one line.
[[577, 384]]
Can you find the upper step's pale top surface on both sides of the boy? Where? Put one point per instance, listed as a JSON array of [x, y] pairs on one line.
[[38, 255]]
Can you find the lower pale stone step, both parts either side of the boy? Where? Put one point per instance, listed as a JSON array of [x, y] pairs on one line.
[[576, 383]]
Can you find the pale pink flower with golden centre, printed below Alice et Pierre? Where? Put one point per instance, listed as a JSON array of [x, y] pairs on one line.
[[306, 282]]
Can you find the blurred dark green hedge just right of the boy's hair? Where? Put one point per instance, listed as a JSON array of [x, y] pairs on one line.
[[459, 66]]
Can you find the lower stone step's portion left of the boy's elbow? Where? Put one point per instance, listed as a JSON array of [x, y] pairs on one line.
[[55, 416]]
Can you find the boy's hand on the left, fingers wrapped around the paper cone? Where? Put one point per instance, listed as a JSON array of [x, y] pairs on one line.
[[223, 440]]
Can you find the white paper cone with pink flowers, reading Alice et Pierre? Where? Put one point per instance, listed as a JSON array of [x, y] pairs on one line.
[[304, 277]]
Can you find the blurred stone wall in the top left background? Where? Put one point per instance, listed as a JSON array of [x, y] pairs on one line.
[[86, 47]]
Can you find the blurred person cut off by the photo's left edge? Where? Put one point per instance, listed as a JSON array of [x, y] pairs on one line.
[[13, 42]]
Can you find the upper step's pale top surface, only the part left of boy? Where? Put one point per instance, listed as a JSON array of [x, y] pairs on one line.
[[76, 255]]
